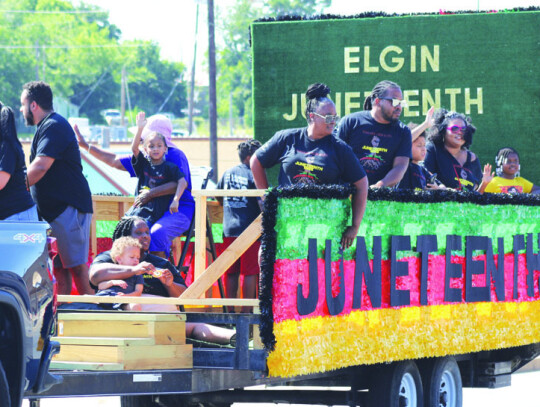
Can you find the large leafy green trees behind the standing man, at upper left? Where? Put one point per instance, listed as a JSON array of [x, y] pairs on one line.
[[80, 55]]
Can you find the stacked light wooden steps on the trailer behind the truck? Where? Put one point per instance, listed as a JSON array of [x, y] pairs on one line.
[[122, 341]]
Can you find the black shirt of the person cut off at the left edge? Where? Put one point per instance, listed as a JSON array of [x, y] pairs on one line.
[[14, 197]]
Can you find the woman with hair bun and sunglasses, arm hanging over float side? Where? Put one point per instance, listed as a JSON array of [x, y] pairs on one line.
[[311, 155]]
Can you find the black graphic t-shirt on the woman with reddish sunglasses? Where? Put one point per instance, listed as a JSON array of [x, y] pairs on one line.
[[449, 171]]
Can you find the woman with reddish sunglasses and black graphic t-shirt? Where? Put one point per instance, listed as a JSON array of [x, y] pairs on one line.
[[448, 153]]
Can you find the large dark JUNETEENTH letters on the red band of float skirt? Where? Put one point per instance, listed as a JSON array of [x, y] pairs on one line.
[[426, 244]]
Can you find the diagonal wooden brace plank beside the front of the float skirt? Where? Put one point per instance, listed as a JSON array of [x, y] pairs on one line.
[[223, 262]]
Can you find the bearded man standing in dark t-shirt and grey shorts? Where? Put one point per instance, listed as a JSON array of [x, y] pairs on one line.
[[58, 185]]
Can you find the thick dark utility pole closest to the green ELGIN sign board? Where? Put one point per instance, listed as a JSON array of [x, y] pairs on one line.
[[212, 108]]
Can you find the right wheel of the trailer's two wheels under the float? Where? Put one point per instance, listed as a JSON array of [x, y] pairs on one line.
[[442, 383]]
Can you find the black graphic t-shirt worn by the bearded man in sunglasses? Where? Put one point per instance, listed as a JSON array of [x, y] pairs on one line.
[[375, 144]]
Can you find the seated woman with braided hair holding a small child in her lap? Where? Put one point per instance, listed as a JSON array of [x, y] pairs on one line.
[[160, 277]]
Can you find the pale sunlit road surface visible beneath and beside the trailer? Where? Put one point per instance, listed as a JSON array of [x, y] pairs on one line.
[[523, 393]]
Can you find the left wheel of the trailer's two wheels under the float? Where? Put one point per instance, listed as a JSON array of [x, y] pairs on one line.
[[396, 385]]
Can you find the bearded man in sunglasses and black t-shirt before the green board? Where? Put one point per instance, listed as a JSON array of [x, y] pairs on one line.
[[380, 141]]
